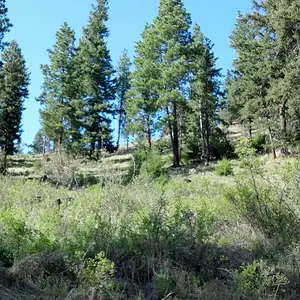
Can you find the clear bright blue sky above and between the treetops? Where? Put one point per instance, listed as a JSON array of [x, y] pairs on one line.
[[36, 22]]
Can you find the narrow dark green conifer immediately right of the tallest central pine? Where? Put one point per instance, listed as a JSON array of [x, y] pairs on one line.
[[204, 93]]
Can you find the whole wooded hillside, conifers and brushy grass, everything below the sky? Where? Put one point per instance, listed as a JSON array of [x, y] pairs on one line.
[[158, 177]]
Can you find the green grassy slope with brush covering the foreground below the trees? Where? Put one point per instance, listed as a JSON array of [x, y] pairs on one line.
[[182, 237]]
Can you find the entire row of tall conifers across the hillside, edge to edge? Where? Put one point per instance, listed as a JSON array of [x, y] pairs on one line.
[[172, 88]]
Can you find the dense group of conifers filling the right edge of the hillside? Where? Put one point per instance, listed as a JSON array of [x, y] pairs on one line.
[[263, 88]]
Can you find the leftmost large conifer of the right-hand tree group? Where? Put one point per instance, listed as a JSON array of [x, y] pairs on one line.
[[254, 69]]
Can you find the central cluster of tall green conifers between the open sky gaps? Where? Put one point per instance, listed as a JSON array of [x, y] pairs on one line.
[[172, 90]]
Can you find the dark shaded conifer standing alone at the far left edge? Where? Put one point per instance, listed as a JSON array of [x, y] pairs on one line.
[[14, 81]]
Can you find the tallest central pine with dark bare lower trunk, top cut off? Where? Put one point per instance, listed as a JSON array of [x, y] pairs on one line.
[[172, 26]]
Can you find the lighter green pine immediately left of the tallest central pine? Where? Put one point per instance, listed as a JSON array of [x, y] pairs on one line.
[[142, 99]]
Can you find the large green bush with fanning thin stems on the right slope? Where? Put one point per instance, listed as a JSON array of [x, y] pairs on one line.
[[264, 204]]
